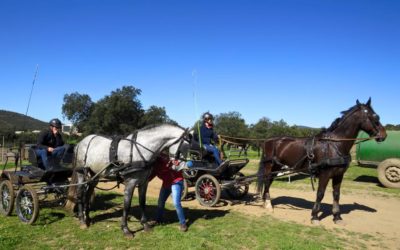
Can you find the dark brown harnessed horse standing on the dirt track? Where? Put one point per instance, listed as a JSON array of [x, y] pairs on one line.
[[326, 155]]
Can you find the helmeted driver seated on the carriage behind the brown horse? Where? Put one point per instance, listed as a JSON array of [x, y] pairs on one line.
[[208, 137]]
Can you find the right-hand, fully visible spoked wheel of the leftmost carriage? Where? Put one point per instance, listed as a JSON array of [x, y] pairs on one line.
[[27, 205]]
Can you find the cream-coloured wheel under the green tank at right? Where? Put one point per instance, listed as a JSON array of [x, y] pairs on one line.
[[389, 173]]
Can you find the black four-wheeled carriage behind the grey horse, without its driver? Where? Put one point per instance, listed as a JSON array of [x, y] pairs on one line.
[[27, 186]]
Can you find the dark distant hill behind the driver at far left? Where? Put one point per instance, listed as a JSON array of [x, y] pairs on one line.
[[12, 121]]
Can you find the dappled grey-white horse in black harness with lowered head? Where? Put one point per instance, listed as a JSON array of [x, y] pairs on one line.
[[128, 160]]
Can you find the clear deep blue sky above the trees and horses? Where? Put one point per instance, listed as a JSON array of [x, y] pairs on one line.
[[301, 61]]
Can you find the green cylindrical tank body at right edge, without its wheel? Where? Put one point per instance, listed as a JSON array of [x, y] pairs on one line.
[[372, 152]]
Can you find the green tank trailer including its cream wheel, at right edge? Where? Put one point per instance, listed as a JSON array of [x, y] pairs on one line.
[[385, 155]]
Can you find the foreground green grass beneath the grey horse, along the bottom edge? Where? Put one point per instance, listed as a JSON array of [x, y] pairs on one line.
[[208, 229]]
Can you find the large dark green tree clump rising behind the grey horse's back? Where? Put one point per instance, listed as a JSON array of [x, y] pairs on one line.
[[121, 112]]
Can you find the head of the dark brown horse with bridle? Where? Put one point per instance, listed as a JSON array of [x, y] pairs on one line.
[[370, 122]]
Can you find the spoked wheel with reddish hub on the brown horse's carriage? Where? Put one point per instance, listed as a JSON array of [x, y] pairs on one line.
[[208, 190]]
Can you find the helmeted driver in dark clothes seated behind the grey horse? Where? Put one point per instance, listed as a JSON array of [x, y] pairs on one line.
[[50, 145]]
